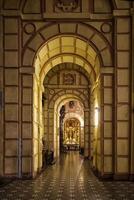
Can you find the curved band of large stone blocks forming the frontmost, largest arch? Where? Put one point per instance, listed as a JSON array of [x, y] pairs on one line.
[[86, 32]]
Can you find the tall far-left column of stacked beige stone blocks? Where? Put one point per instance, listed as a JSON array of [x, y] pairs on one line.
[[11, 96]]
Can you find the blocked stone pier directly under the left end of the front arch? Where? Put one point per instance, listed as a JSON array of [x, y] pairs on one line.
[[26, 124]]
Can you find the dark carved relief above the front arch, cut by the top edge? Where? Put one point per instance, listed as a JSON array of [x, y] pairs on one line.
[[67, 5]]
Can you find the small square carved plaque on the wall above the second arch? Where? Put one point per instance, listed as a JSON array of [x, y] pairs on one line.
[[69, 79]]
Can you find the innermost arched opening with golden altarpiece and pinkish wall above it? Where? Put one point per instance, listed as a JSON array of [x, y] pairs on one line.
[[73, 126]]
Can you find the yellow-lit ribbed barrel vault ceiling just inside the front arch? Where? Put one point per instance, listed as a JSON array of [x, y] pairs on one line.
[[67, 49]]
